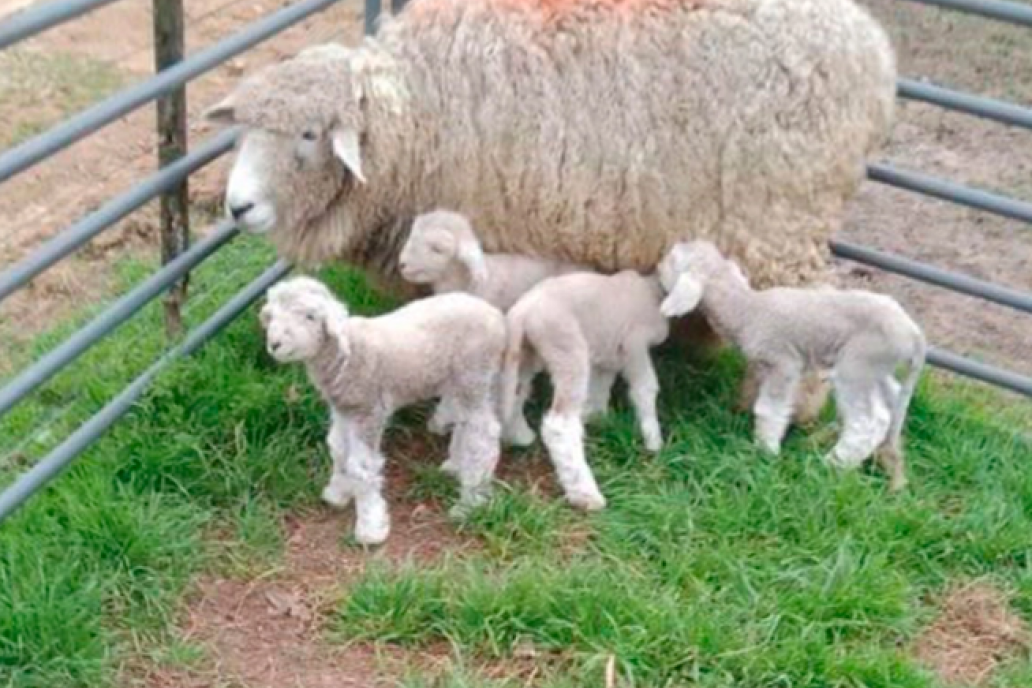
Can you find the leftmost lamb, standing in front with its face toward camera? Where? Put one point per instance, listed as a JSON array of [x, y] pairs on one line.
[[367, 369]]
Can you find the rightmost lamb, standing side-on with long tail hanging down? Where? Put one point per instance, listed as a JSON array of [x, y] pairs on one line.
[[860, 337]]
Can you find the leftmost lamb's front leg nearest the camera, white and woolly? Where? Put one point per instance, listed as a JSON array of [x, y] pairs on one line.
[[365, 478]]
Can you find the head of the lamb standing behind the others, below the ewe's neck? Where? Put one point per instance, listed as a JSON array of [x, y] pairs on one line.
[[437, 242]]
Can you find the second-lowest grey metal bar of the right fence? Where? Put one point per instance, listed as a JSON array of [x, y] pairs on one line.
[[934, 276]]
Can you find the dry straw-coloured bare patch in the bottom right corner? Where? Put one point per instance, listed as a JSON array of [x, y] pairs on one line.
[[975, 633]]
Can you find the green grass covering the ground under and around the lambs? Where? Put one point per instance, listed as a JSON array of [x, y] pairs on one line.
[[713, 566]]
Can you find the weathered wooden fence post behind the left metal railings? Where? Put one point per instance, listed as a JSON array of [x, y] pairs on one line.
[[169, 47]]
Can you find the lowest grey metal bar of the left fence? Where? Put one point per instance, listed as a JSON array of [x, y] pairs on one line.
[[44, 472]]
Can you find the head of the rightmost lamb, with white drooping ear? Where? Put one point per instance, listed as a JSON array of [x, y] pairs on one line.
[[685, 273]]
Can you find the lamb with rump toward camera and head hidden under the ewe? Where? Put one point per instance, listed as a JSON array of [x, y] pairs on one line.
[[586, 329]]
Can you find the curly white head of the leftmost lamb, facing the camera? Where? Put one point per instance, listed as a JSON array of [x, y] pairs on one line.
[[300, 317]]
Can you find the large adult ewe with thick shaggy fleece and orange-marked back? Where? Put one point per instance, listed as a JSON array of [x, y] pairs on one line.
[[589, 132]]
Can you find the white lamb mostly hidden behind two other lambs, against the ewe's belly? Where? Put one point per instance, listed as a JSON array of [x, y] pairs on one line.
[[443, 251]]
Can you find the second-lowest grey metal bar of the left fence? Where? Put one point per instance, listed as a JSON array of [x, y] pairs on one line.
[[115, 315]]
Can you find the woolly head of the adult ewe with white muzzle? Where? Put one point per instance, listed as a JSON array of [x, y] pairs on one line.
[[301, 146]]
